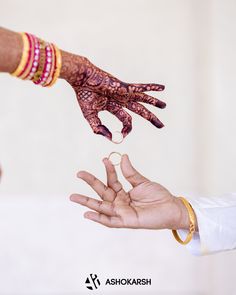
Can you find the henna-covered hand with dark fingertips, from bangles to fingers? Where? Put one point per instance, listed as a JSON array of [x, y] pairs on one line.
[[98, 91]]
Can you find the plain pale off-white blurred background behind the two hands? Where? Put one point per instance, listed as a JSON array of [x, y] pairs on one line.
[[46, 247]]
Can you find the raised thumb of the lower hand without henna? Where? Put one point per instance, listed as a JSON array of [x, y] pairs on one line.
[[131, 174]]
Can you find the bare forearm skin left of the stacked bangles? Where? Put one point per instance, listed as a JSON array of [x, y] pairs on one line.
[[11, 47]]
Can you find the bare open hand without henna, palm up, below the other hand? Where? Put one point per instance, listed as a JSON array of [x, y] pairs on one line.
[[147, 205]]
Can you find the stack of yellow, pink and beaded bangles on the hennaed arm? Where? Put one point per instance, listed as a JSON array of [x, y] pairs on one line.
[[40, 61]]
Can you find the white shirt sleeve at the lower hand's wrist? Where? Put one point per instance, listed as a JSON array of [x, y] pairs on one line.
[[216, 223]]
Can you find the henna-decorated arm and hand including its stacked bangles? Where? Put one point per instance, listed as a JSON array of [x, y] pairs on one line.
[[28, 57]]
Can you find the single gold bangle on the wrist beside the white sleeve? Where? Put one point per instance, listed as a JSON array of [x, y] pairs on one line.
[[192, 223]]
